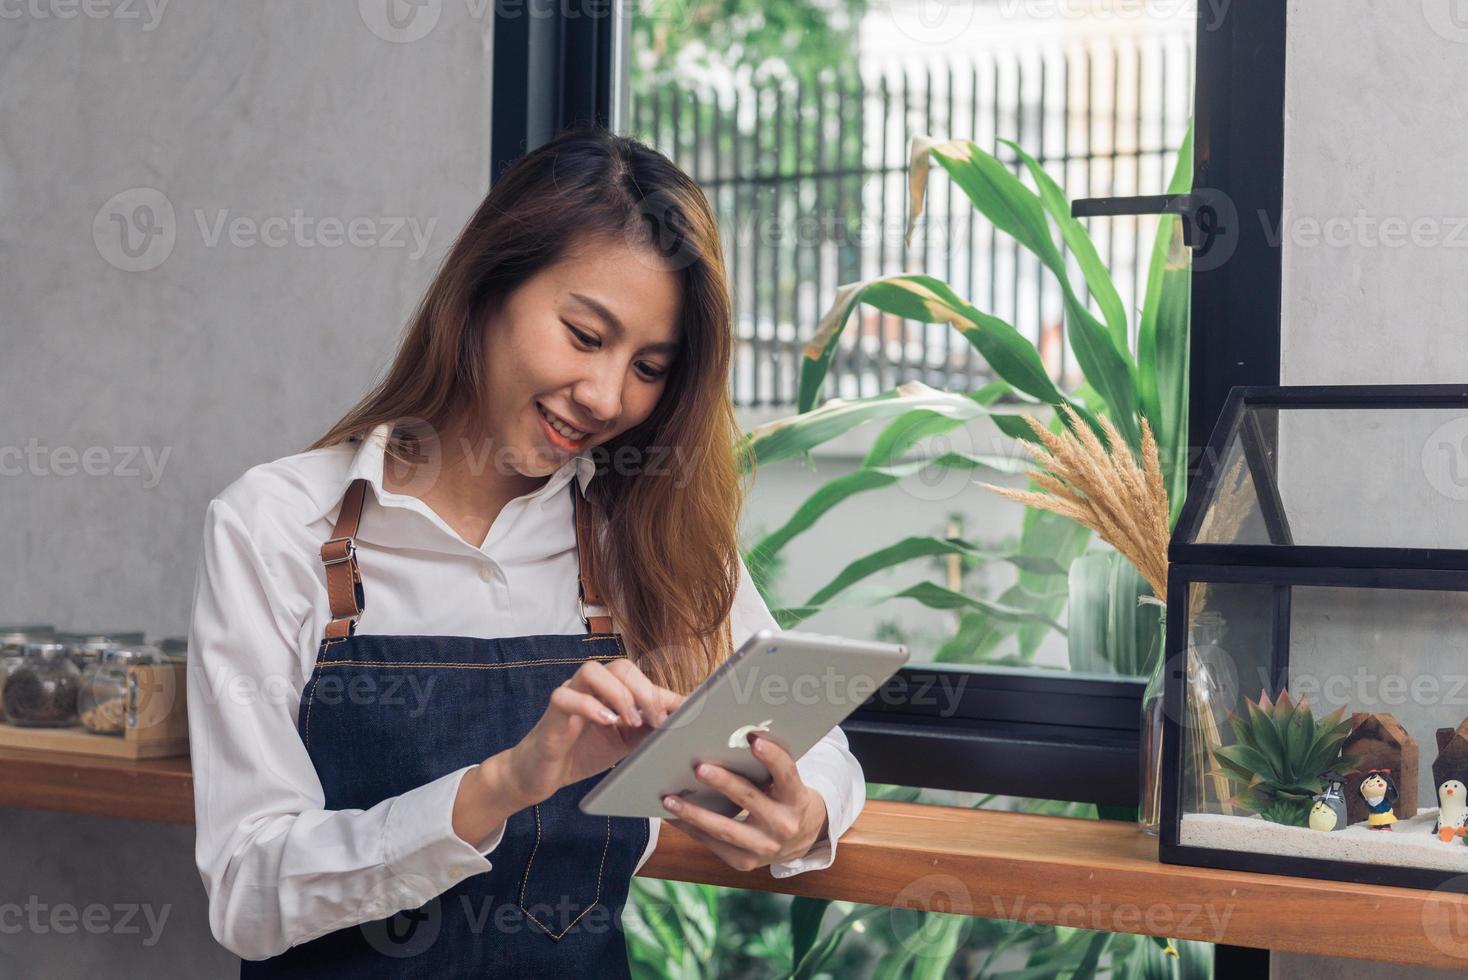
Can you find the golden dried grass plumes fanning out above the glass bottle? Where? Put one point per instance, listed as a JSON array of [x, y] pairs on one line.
[[1105, 491]]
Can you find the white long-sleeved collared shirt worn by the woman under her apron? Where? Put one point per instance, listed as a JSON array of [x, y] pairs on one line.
[[278, 866]]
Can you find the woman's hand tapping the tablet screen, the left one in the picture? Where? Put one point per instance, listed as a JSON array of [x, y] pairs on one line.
[[595, 718]]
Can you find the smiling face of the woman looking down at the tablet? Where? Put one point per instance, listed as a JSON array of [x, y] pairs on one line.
[[591, 341]]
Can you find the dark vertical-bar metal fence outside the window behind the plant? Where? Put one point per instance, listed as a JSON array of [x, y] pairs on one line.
[[811, 189]]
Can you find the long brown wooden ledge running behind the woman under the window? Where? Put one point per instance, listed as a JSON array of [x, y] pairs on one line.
[[1056, 871]]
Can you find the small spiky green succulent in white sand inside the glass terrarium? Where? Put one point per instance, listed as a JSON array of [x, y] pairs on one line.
[[1281, 753]]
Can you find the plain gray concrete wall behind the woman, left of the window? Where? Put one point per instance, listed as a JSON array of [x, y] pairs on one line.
[[224, 353]]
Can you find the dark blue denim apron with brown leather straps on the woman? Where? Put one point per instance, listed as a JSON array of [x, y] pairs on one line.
[[551, 903]]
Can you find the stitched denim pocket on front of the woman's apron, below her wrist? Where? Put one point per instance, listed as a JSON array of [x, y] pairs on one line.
[[567, 866]]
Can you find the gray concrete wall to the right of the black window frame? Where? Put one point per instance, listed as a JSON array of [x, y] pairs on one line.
[[1375, 128]]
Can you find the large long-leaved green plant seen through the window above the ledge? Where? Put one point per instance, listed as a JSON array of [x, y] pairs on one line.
[[1127, 390]]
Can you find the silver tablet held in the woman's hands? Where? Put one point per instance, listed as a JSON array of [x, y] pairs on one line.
[[793, 687]]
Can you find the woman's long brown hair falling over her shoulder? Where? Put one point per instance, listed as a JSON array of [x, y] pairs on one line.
[[670, 561]]
